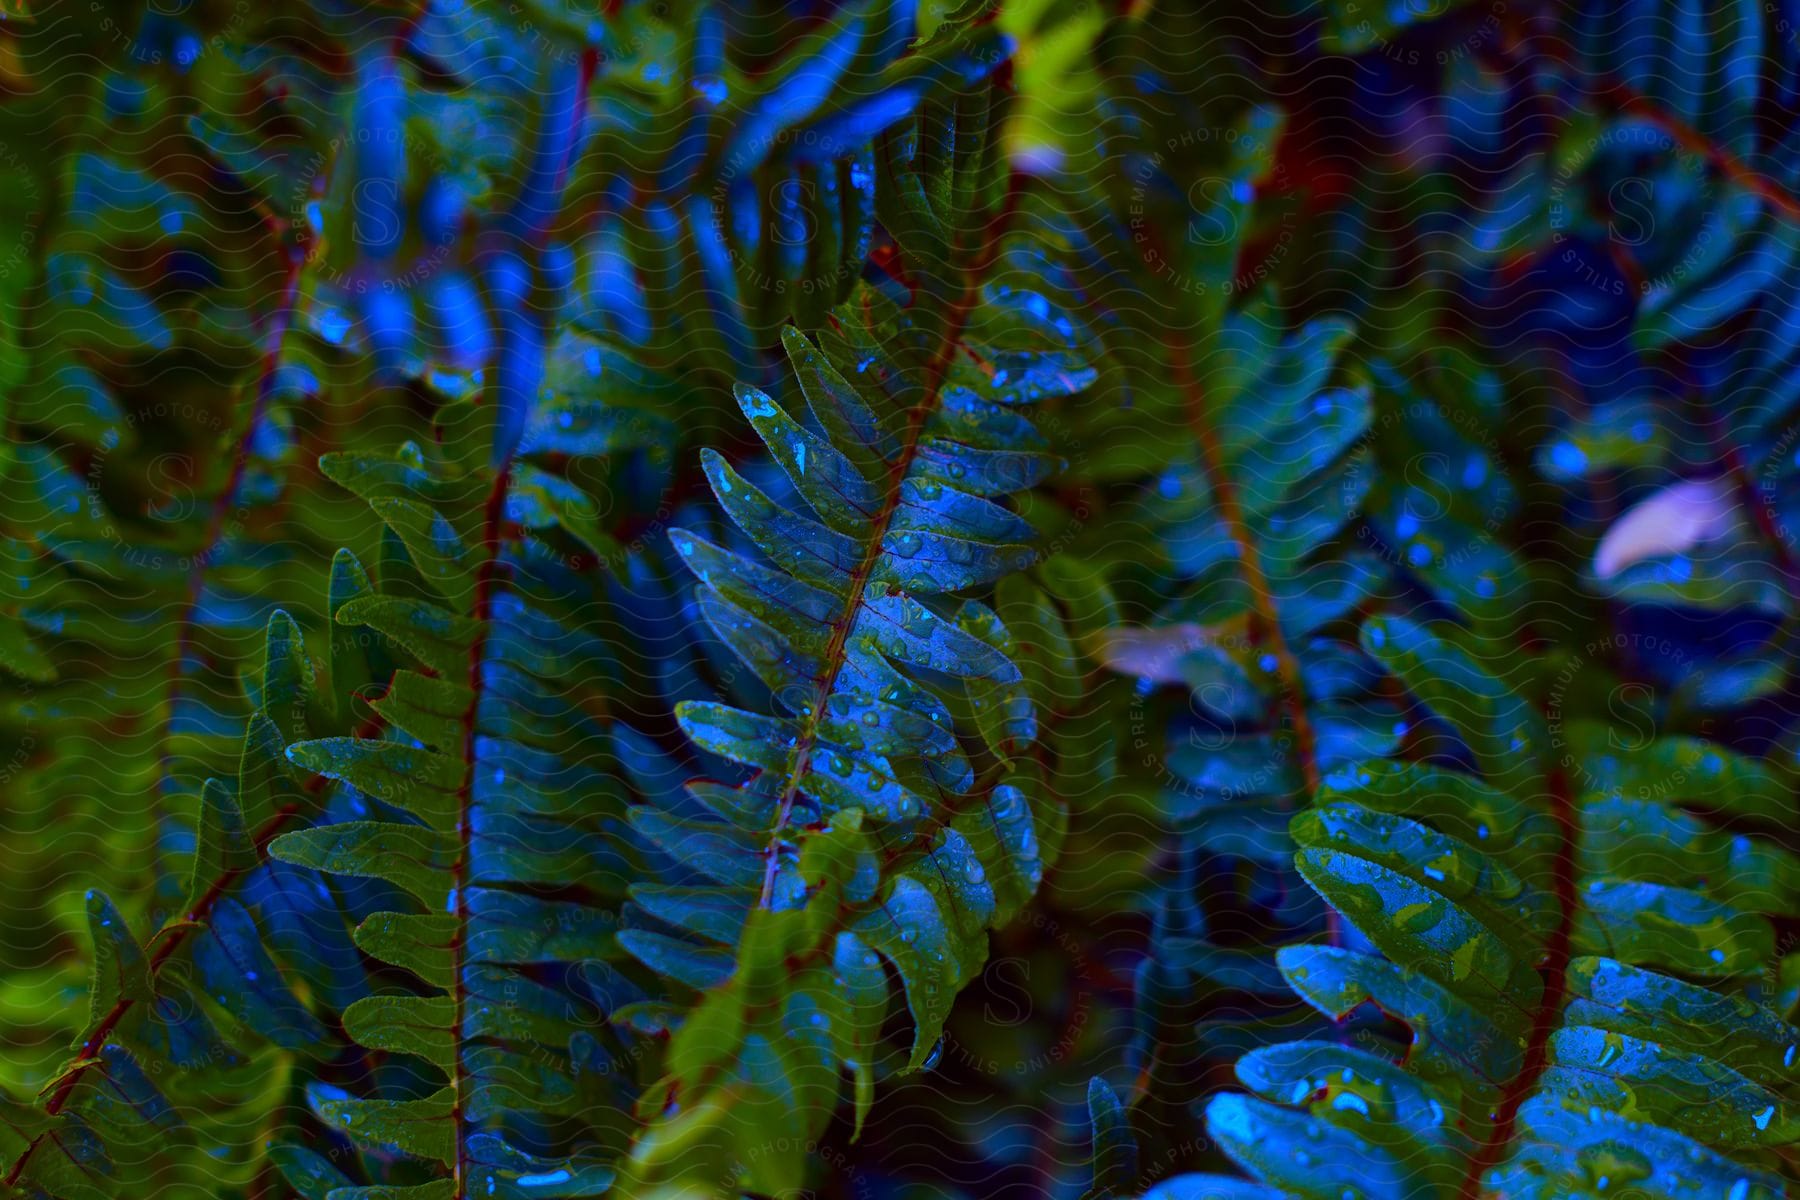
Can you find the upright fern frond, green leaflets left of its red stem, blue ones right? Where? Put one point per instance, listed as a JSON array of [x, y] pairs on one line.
[[492, 809]]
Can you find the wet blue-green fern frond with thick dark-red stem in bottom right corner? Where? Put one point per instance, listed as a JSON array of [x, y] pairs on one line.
[[1567, 956]]
